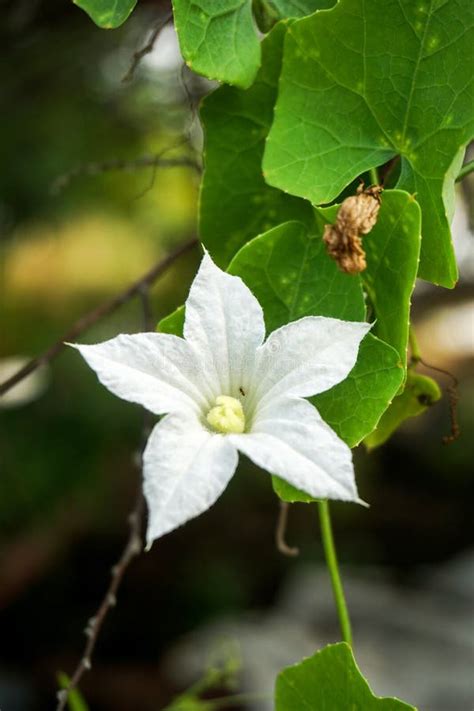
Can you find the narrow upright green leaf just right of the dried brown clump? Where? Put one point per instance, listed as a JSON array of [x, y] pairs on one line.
[[392, 249]]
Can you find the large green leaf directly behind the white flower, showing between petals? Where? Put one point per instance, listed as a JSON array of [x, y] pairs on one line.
[[291, 275]]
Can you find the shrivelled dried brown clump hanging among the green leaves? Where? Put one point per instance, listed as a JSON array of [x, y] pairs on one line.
[[357, 215]]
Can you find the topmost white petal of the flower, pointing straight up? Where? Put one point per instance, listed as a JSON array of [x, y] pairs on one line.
[[225, 322]]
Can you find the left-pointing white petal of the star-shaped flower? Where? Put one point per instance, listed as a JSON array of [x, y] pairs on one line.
[[156, 370]]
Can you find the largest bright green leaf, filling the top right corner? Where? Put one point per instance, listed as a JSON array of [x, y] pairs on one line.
[[367, 81]]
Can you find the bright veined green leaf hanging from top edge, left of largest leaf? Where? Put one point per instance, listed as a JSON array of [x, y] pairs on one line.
[[218, 38]]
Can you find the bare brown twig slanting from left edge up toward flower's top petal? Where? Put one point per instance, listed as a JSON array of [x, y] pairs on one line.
[[100, 312]]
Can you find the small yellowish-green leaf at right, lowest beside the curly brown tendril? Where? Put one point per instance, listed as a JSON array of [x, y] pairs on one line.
[[420, 393]]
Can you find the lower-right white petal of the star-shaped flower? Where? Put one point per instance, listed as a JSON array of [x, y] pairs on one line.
[[289, 438]]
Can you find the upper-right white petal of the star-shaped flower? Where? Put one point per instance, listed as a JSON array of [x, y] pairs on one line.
[[308, 356]]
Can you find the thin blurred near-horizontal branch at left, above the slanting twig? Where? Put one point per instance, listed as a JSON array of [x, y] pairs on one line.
[[117, 164]]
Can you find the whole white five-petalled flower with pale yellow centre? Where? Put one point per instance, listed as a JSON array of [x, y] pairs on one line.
[[223, 389]]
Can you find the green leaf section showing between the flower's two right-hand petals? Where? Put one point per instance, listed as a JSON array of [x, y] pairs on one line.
[[354, 407]]
